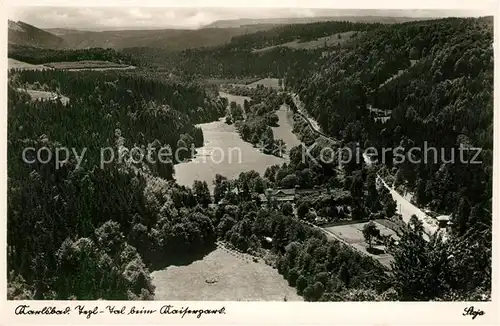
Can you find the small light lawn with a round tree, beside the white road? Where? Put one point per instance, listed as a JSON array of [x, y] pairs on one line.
[[353, 235]]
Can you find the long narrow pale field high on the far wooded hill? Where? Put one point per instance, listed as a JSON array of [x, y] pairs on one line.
[[322, 42]]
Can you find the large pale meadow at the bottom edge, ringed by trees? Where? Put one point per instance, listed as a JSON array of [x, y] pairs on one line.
[[223, 275]]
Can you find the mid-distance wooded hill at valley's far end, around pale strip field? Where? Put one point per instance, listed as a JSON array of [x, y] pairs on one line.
[[236, 58]]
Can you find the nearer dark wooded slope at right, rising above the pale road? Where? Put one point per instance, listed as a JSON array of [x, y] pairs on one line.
[[445, 99]]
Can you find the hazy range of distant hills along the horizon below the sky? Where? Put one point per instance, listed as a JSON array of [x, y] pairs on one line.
[[217, 33]]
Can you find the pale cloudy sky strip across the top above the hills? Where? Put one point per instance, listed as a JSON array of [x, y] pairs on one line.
[[147, 17]]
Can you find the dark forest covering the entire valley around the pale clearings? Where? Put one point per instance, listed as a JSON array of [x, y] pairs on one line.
[[89, 230]]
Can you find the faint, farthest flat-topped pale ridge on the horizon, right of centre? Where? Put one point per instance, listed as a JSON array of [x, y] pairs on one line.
[[231, 23]]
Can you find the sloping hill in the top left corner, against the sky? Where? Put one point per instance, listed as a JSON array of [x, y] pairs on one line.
[[21, 33]]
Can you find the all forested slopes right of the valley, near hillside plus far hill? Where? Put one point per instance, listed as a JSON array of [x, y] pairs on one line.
[[442, 94]]
